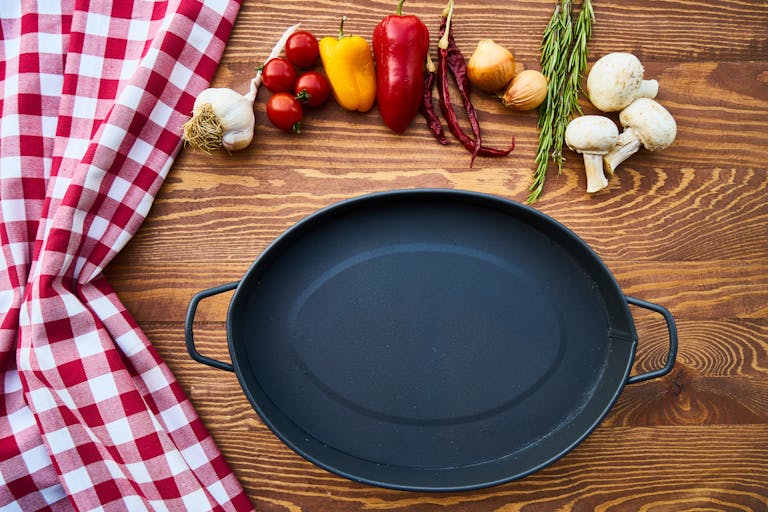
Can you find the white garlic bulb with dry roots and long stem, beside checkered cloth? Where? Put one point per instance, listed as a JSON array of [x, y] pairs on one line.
[[222, 117]]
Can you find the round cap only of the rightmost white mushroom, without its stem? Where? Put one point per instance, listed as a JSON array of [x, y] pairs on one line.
[[653, 124]]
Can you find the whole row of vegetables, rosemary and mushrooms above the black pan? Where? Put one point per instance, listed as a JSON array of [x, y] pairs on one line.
[[399, 75]]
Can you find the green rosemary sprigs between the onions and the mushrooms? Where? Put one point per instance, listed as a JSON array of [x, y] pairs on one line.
[[563, 61]]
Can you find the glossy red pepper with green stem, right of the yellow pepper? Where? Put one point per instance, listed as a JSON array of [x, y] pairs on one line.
[[400, 46]]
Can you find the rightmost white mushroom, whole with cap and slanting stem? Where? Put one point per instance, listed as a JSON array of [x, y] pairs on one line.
[[645, 123]]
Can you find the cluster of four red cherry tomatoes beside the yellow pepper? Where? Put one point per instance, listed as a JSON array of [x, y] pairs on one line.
[[293, 90]]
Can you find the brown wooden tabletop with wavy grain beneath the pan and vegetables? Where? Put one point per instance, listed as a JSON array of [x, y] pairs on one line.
[[686, 228]]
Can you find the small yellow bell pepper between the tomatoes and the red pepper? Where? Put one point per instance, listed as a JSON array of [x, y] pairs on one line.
[[348, 63]]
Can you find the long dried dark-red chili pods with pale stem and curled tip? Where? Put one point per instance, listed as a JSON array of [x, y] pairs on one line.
[[451, 59]]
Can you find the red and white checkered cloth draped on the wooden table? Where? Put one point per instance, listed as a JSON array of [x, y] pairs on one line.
[[92, 99]]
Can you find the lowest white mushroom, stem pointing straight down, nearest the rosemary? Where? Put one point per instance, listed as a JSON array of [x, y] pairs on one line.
[[592, 136]]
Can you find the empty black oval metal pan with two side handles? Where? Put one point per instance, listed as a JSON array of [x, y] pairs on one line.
[[430, 340]]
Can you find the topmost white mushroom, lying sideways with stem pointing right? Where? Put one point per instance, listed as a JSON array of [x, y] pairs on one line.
[[616, 80]]
